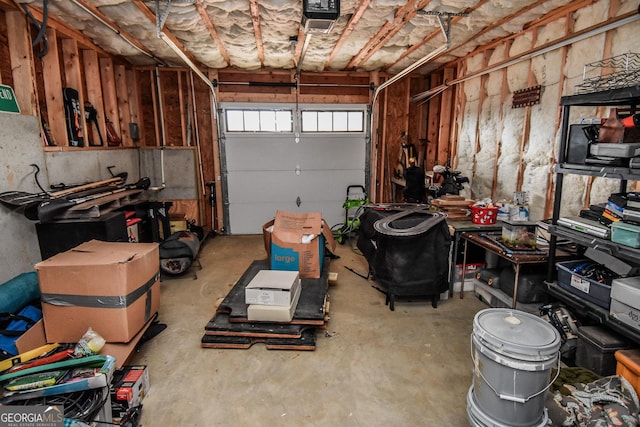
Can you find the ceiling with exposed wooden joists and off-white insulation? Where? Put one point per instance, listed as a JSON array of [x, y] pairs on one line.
[[369, 35]]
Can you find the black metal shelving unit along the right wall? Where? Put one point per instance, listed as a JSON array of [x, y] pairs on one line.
[[628, 97]]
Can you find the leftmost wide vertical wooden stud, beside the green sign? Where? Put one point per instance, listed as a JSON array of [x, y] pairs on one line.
[[23, 71]]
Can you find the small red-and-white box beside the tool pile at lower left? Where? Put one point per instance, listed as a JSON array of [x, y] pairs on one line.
[[130, 385]]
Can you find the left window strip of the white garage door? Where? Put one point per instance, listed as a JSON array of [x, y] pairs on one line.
[[259, 120]]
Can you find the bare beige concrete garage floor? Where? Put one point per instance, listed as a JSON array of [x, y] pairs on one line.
[[371, 367]]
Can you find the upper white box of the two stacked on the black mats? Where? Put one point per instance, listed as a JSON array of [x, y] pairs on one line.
[[272, 287]]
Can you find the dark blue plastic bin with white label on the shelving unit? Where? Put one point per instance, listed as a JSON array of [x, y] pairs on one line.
[[595, 292]]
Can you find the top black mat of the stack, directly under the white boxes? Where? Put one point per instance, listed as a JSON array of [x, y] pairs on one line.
[[310, 309]]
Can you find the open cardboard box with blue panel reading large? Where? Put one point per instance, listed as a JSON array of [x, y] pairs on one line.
[[296, 243]]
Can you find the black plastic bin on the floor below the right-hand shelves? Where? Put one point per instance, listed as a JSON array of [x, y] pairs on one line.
[[596, 349]]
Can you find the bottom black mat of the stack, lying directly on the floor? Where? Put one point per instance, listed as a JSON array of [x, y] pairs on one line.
[[306, 342]]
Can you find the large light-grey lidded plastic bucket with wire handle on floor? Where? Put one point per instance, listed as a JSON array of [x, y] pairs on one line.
[[513, 353]]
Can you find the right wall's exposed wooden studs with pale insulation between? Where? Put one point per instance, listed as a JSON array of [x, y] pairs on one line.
[[505, 149]]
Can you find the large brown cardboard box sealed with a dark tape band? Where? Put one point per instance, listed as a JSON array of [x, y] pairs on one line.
[[111, 287]]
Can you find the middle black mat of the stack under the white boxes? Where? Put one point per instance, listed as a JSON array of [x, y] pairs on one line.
[[220, 325]]
